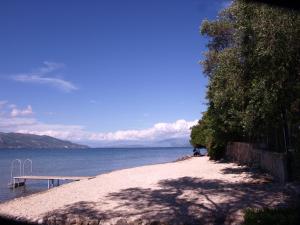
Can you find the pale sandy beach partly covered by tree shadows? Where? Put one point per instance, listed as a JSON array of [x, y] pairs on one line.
[[192, 190]]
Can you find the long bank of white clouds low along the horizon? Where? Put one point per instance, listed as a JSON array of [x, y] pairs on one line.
[[23, 122]]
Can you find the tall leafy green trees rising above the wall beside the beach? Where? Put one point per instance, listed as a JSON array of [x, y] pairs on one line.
[[253, 66]]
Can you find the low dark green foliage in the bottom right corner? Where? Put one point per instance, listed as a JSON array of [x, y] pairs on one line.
[[284, 216]]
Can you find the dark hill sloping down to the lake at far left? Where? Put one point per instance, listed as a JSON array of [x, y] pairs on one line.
[[18, 140]]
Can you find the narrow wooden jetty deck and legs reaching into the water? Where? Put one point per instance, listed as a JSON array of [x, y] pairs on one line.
[[21, 180]]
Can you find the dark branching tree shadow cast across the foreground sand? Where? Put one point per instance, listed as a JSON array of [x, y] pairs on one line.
[[184, 201]]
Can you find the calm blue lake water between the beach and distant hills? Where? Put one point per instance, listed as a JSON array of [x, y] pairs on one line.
[[77, 162]]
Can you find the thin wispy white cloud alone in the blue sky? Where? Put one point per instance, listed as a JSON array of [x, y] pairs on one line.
[[41, 76]]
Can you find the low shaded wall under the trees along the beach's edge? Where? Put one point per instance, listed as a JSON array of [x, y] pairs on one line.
[[272, 162]]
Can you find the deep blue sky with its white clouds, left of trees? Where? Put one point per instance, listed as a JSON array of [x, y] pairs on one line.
[[103, 71]]
